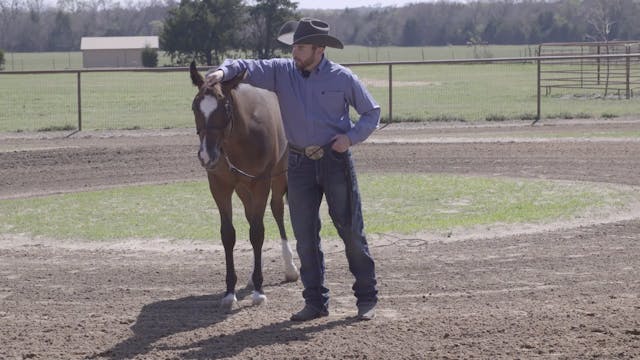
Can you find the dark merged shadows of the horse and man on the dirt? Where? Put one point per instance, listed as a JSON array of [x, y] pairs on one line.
[[165, 318]]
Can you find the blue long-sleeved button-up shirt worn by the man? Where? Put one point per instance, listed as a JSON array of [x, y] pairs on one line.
[[313, 109]]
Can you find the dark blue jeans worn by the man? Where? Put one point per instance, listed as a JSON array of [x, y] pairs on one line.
[[334, 177]]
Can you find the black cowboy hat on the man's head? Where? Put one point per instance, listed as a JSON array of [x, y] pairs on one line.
[[308, 31]]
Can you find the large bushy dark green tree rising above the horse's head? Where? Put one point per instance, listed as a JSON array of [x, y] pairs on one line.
[[202, 30]]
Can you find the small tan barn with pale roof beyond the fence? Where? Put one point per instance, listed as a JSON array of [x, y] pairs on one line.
[[115, 51]]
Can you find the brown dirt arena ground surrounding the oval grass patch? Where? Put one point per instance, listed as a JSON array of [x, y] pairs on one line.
[[571, 292]]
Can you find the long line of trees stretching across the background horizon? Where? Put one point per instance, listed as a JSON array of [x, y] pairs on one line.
[[209, 28]]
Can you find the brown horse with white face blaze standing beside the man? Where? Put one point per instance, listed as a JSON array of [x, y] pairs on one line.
[[243, 149]]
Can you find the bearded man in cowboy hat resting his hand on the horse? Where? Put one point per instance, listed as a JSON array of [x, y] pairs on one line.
[[314, 95]]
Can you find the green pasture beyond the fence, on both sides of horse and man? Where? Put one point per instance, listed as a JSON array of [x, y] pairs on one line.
[[130, 100]]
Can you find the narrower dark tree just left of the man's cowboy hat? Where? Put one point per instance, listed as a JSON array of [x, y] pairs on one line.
[[266, 18]]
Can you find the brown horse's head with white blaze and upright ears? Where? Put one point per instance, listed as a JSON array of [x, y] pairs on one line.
[[214, 115]]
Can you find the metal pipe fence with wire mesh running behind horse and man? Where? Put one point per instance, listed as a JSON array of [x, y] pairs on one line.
[[494, 89]]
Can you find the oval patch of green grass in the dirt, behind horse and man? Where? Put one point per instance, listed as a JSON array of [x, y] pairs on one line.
[[396, 203]]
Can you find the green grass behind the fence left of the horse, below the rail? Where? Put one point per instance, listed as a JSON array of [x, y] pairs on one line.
[[109, 101]]
